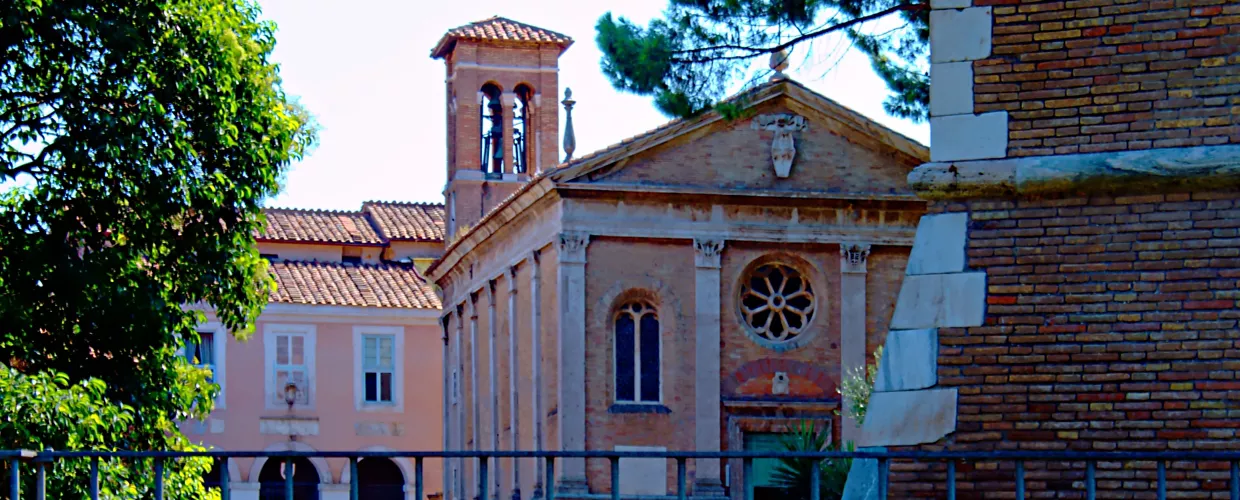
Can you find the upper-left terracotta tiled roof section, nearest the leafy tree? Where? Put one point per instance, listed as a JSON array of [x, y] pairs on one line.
[[318, 226]]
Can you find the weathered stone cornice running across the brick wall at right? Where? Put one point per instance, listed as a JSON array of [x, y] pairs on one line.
[[1083, 174]]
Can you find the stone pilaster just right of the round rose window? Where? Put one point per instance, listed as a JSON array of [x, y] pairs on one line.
[[852, 324]]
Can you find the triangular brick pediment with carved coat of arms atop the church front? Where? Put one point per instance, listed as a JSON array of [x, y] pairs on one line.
[[789, 140]]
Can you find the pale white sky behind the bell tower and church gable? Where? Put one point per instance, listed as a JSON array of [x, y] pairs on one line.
[[364, 70]]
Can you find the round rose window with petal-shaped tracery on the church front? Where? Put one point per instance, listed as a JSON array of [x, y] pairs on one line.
[[777, 302]]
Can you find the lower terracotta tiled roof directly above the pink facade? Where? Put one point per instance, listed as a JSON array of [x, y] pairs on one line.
[[324, 283]]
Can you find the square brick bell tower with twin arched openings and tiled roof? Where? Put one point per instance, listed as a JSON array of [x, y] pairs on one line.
[[503, 116]]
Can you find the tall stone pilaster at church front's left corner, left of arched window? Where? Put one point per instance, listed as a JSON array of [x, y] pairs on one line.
[[572, 358]]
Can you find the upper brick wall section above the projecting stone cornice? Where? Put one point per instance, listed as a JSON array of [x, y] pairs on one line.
[[1088, 76]]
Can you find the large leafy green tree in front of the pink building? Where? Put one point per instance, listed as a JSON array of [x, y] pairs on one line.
[[138, 140]]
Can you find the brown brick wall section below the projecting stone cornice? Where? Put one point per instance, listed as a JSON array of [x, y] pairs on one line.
[[1112, 326]]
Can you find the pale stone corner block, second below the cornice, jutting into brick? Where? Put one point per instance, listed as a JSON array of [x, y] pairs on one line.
[[941, 301]]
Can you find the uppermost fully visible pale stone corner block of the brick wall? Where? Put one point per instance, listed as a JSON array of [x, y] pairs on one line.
[[960, 35]]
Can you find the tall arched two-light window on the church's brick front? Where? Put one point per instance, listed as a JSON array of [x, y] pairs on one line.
[[638, 350]]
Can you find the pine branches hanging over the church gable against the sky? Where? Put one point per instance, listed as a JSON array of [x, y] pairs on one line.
[[690, 58]]
